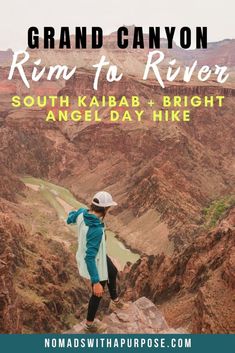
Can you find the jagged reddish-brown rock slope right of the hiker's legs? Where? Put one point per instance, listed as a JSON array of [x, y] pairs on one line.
[[194, 288]]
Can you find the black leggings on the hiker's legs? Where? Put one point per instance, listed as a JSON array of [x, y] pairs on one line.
[[94, 300]]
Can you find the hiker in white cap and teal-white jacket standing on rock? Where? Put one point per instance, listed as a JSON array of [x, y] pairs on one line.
[[93, 262]]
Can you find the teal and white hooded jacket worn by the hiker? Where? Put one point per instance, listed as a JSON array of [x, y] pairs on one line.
[[91, 254]]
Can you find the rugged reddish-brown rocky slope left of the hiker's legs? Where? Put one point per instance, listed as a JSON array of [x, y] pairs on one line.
[[39, 287]]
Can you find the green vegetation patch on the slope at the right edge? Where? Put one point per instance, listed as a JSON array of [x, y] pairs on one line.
[[217, 209]]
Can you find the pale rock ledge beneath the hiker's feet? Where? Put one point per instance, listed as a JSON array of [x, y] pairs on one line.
[[141, 316]]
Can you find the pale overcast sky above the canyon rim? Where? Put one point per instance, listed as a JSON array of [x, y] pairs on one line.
[[16, 16]]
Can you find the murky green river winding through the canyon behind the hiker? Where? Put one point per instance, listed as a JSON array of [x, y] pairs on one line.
[[63, 201]]
